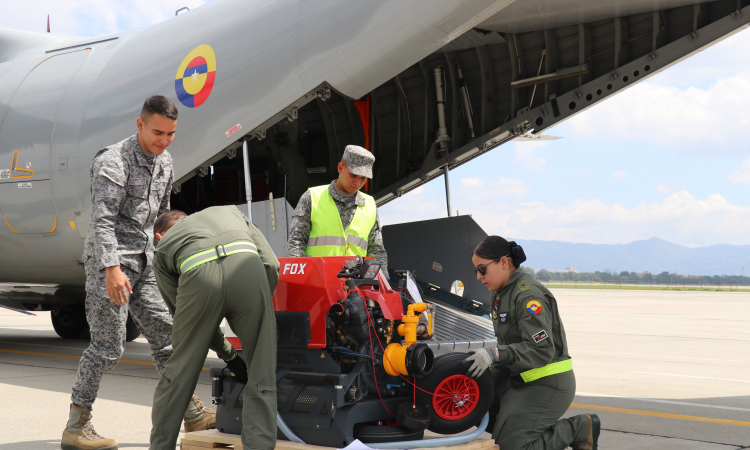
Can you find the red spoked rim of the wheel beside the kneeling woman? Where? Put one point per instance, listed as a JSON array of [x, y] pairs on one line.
[[455, 397]]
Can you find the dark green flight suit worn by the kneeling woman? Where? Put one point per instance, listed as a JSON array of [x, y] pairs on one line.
[[530, 335]]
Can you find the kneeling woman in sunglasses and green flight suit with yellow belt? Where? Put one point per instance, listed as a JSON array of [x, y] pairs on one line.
[[533, 373]]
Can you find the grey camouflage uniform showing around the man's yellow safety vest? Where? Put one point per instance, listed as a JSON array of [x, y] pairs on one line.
[[347, 205]]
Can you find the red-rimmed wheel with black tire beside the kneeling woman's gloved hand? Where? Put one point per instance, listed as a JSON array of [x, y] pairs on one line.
[[458, 401]]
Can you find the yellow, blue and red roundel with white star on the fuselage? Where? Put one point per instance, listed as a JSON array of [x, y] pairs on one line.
[[195, 76]]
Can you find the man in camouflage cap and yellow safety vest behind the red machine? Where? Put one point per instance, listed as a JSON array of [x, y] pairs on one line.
[[355, 167]]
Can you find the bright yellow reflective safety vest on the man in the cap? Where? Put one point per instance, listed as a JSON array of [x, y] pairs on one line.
[[327, 236]]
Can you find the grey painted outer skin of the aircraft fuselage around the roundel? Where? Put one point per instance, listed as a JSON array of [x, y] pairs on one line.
[[269, 56]]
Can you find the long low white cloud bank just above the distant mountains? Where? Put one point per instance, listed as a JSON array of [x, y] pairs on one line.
[[682, 217]]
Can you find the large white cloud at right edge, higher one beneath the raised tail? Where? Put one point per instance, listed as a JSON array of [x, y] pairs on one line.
[[691, 121]]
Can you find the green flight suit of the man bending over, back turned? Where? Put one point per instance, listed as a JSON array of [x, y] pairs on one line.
[[239, 287]]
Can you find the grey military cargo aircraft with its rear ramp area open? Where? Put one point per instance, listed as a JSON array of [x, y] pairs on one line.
[[426, 85]]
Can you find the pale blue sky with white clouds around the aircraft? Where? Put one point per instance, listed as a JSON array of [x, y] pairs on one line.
[[668, 157]]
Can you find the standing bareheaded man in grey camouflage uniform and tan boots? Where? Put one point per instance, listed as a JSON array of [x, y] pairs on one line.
[[130, 184]]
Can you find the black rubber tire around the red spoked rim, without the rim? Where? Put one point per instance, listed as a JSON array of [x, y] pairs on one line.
[[446, 366]]
